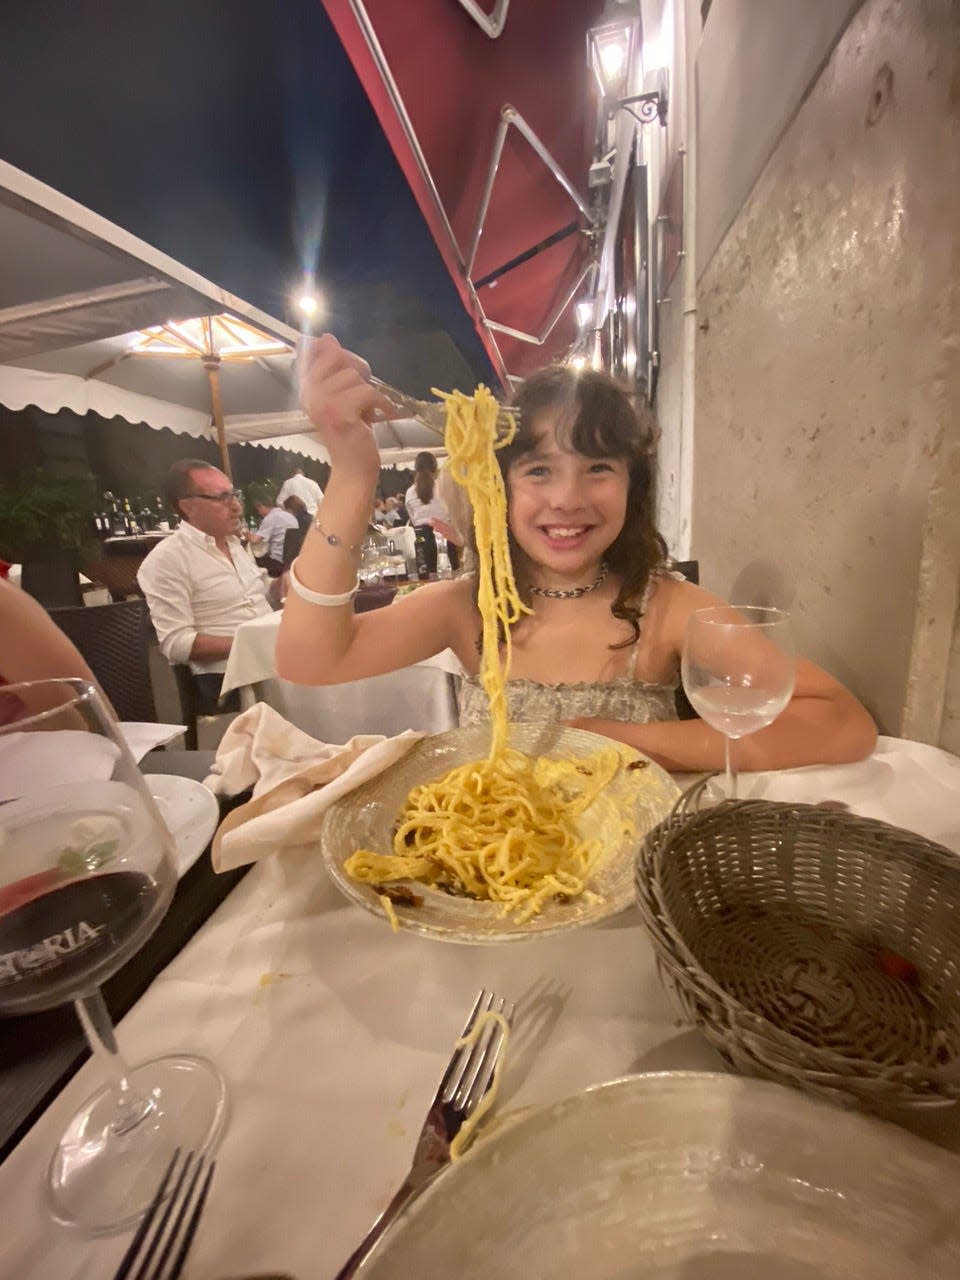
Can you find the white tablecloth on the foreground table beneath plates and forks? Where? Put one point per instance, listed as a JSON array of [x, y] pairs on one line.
[[333, 1034]]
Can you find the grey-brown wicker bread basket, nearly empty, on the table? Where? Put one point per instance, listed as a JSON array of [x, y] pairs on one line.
[[811, 947]]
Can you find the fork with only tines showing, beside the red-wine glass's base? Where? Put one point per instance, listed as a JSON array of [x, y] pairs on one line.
[[159, 1250]]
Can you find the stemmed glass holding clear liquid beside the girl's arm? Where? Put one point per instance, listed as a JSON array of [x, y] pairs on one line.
[[739, 671]]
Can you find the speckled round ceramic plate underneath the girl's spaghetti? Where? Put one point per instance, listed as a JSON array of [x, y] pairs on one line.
[[367, 817]]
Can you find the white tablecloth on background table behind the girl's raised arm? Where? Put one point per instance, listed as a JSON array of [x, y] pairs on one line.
[[423, 697]]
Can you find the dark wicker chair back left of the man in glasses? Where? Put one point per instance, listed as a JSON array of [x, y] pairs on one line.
[[113, 639]]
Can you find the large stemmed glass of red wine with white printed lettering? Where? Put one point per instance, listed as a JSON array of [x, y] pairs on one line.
[[86, 876]]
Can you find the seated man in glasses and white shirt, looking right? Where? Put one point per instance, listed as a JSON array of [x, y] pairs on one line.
[[202, 583]]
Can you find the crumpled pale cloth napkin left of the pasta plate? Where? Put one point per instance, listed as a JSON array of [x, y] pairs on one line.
[[295, 779]]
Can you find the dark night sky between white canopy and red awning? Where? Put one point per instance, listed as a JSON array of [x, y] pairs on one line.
[[235, 136]]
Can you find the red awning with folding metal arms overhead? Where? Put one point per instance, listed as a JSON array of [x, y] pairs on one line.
[[440, 85]]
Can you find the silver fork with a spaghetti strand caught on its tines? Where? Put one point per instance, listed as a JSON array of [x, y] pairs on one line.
[[465, 1082]]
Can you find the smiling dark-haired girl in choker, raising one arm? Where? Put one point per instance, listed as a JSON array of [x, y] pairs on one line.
[[602, 647]]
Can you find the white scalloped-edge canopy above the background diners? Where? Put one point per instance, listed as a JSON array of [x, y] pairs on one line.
[[76, 291]]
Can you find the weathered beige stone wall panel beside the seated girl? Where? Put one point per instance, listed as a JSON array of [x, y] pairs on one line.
[[825, 317]]
